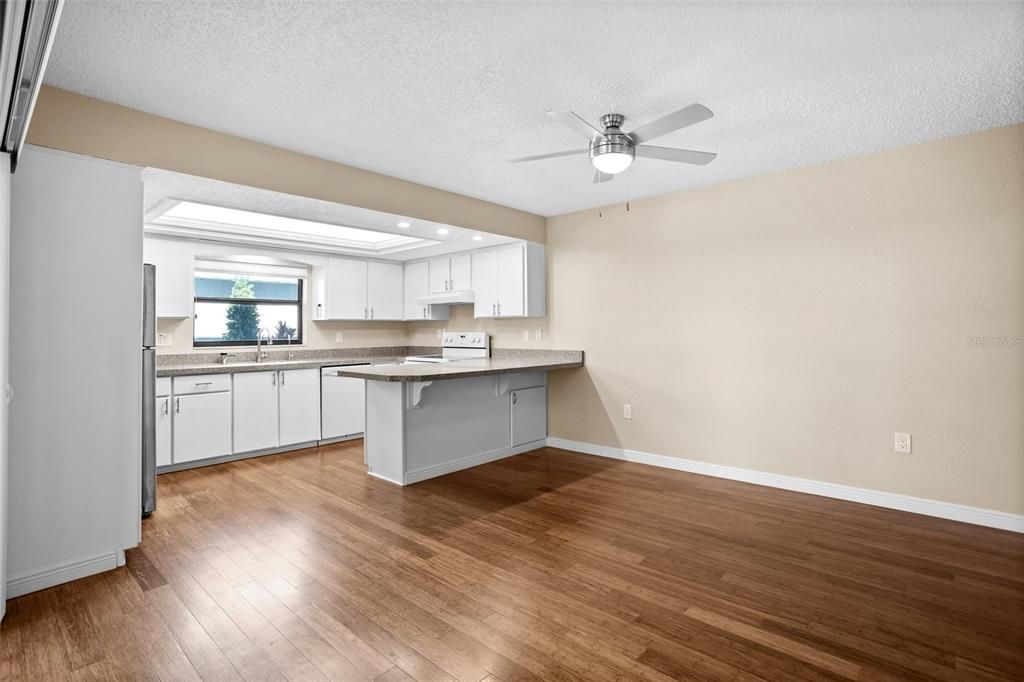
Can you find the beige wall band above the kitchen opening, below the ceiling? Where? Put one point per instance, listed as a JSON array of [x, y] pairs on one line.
[[75, 123]]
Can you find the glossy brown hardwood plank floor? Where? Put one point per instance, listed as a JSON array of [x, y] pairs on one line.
[[549, 566]]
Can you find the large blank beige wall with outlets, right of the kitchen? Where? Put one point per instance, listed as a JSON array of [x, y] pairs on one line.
[[793, 323]]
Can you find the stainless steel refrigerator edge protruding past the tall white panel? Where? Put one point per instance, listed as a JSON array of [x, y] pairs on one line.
[[149, 390]]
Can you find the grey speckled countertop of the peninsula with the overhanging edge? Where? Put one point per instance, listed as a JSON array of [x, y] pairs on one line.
[[532, 361]]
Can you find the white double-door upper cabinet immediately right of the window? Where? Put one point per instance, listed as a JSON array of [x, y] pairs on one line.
[[348, 289]]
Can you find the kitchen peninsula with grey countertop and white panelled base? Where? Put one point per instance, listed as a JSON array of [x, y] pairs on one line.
[[426, 420]]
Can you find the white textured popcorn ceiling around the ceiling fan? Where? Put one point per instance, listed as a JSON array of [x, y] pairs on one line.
[[442, 94]]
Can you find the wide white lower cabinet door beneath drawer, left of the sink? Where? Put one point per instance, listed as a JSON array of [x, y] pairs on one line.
[[202, 425]]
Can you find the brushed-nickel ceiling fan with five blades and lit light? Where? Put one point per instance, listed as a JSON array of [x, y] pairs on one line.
[[612, 151]]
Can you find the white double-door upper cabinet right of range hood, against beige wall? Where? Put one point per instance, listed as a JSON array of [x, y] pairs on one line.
[[508, 281]]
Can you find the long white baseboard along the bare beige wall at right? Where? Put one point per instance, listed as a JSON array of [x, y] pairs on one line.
[[949, 510]]
